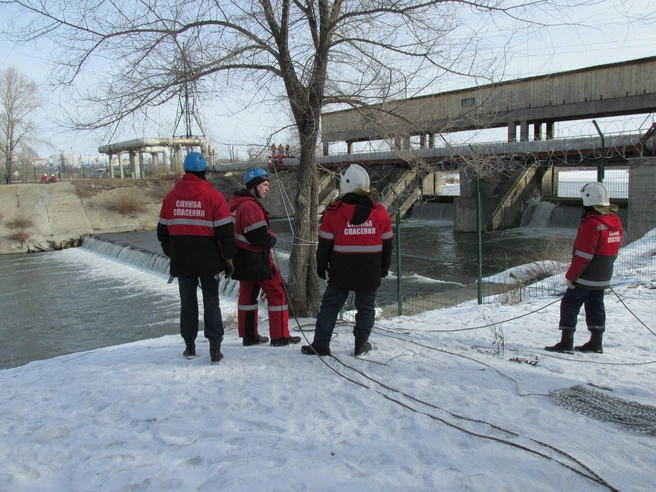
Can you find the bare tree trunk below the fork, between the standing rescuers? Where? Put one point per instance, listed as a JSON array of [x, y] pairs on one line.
[[303, 282]]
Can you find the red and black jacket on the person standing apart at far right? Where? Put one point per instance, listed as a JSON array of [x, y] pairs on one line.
[[595, 249]]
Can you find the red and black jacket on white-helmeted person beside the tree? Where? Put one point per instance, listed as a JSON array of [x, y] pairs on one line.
[[355, 243]]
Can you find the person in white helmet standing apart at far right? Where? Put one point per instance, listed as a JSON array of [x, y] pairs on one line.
[[596, 247]]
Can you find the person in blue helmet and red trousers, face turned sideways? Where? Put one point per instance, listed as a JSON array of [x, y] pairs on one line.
[[254, 266]]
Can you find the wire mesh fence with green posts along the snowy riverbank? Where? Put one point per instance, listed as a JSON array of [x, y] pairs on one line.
[[532, 259]]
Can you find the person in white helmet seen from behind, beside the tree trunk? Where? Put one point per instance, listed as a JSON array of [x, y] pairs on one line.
[[355, 250]]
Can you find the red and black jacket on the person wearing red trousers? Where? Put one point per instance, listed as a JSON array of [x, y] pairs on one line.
[[254, 239]]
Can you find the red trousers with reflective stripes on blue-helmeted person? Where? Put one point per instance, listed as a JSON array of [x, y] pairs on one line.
[[276, 300]]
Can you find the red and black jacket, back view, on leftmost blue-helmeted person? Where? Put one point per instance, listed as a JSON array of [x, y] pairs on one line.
[[195, 228]]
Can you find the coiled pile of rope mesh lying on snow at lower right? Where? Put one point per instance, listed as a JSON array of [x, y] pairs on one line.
[[629, 415]]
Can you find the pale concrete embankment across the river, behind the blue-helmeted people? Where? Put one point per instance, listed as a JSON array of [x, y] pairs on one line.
[[44, 217]]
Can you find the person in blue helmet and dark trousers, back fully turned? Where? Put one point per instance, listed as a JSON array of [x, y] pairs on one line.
[[195, 231]]
